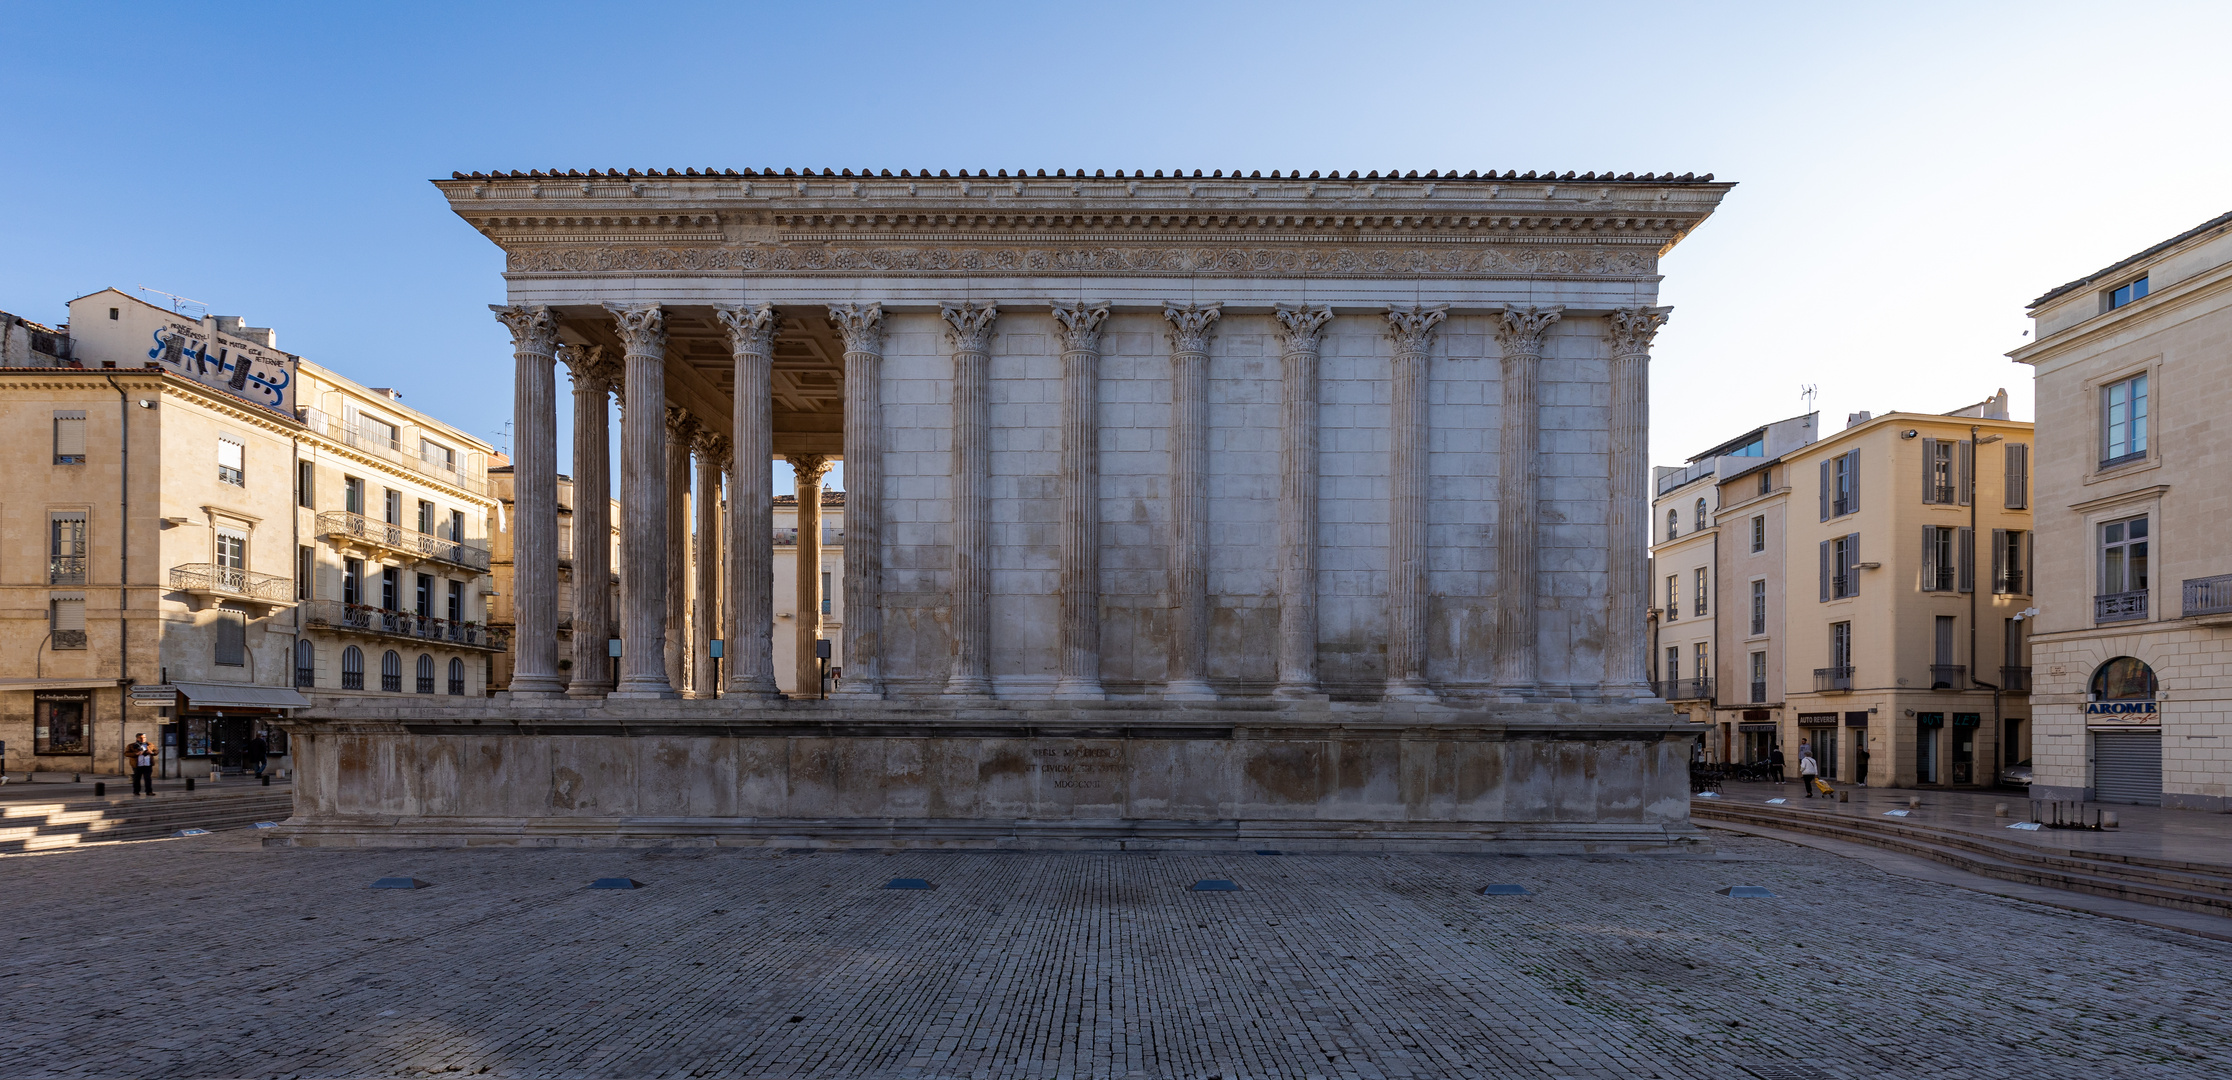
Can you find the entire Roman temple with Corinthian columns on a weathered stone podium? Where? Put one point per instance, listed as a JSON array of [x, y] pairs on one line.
[[1177, 510]]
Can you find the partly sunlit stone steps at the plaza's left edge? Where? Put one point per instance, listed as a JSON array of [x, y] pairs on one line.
[[39, 825]]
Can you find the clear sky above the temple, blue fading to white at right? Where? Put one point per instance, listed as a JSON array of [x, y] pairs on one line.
[[1912, 175]]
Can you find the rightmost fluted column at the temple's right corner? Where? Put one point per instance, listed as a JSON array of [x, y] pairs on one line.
[[1628, 512]]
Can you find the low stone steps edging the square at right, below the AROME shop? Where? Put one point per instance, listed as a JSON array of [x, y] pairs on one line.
[[2135, 878]]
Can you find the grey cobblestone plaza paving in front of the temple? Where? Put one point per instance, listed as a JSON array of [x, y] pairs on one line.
[[218, 958]]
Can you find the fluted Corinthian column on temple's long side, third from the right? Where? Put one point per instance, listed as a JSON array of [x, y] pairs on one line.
[[1407, 503]]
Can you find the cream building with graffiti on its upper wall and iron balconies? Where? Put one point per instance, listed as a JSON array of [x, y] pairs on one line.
[[227, 528]]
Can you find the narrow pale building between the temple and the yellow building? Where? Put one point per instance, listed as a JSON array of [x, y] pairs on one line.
[[1720, 519]]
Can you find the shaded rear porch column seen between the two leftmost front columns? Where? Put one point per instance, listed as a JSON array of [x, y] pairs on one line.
[[593, 519]]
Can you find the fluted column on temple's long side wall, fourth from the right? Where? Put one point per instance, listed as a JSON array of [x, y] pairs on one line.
[[1302, 329]]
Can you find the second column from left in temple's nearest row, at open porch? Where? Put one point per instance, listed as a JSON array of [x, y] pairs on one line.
[[644, 508]]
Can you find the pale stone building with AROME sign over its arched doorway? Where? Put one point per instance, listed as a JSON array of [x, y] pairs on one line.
[[2135, 610]]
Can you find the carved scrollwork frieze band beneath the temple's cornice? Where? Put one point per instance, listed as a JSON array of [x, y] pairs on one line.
[[1523, 260]]
